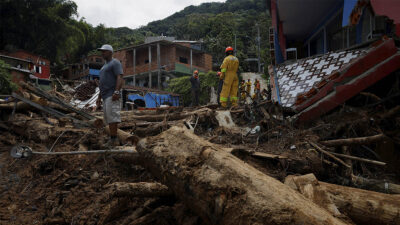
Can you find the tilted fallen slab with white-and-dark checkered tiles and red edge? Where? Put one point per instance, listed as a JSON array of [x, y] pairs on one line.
[[316, 85]]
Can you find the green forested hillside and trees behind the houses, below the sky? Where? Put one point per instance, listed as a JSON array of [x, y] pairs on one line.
[[50, 28]]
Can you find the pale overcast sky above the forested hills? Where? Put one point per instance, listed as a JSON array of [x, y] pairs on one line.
[[130, 13]]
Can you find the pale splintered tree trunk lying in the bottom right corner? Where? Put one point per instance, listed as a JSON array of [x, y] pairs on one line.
[[363, 207]]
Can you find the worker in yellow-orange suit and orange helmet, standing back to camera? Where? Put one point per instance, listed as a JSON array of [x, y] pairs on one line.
[[229, 70]]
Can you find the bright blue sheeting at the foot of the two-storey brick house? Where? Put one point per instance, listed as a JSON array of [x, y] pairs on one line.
[[155, 100]]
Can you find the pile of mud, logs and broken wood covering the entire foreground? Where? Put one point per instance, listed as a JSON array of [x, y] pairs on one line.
[[250, 165]]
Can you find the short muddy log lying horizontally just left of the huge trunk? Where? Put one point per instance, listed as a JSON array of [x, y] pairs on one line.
[[141, 189]]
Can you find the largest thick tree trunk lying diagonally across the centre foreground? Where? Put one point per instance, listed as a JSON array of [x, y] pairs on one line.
[[221, 188]]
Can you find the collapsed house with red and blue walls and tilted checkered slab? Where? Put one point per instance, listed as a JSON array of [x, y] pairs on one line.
[[335, 52]]
